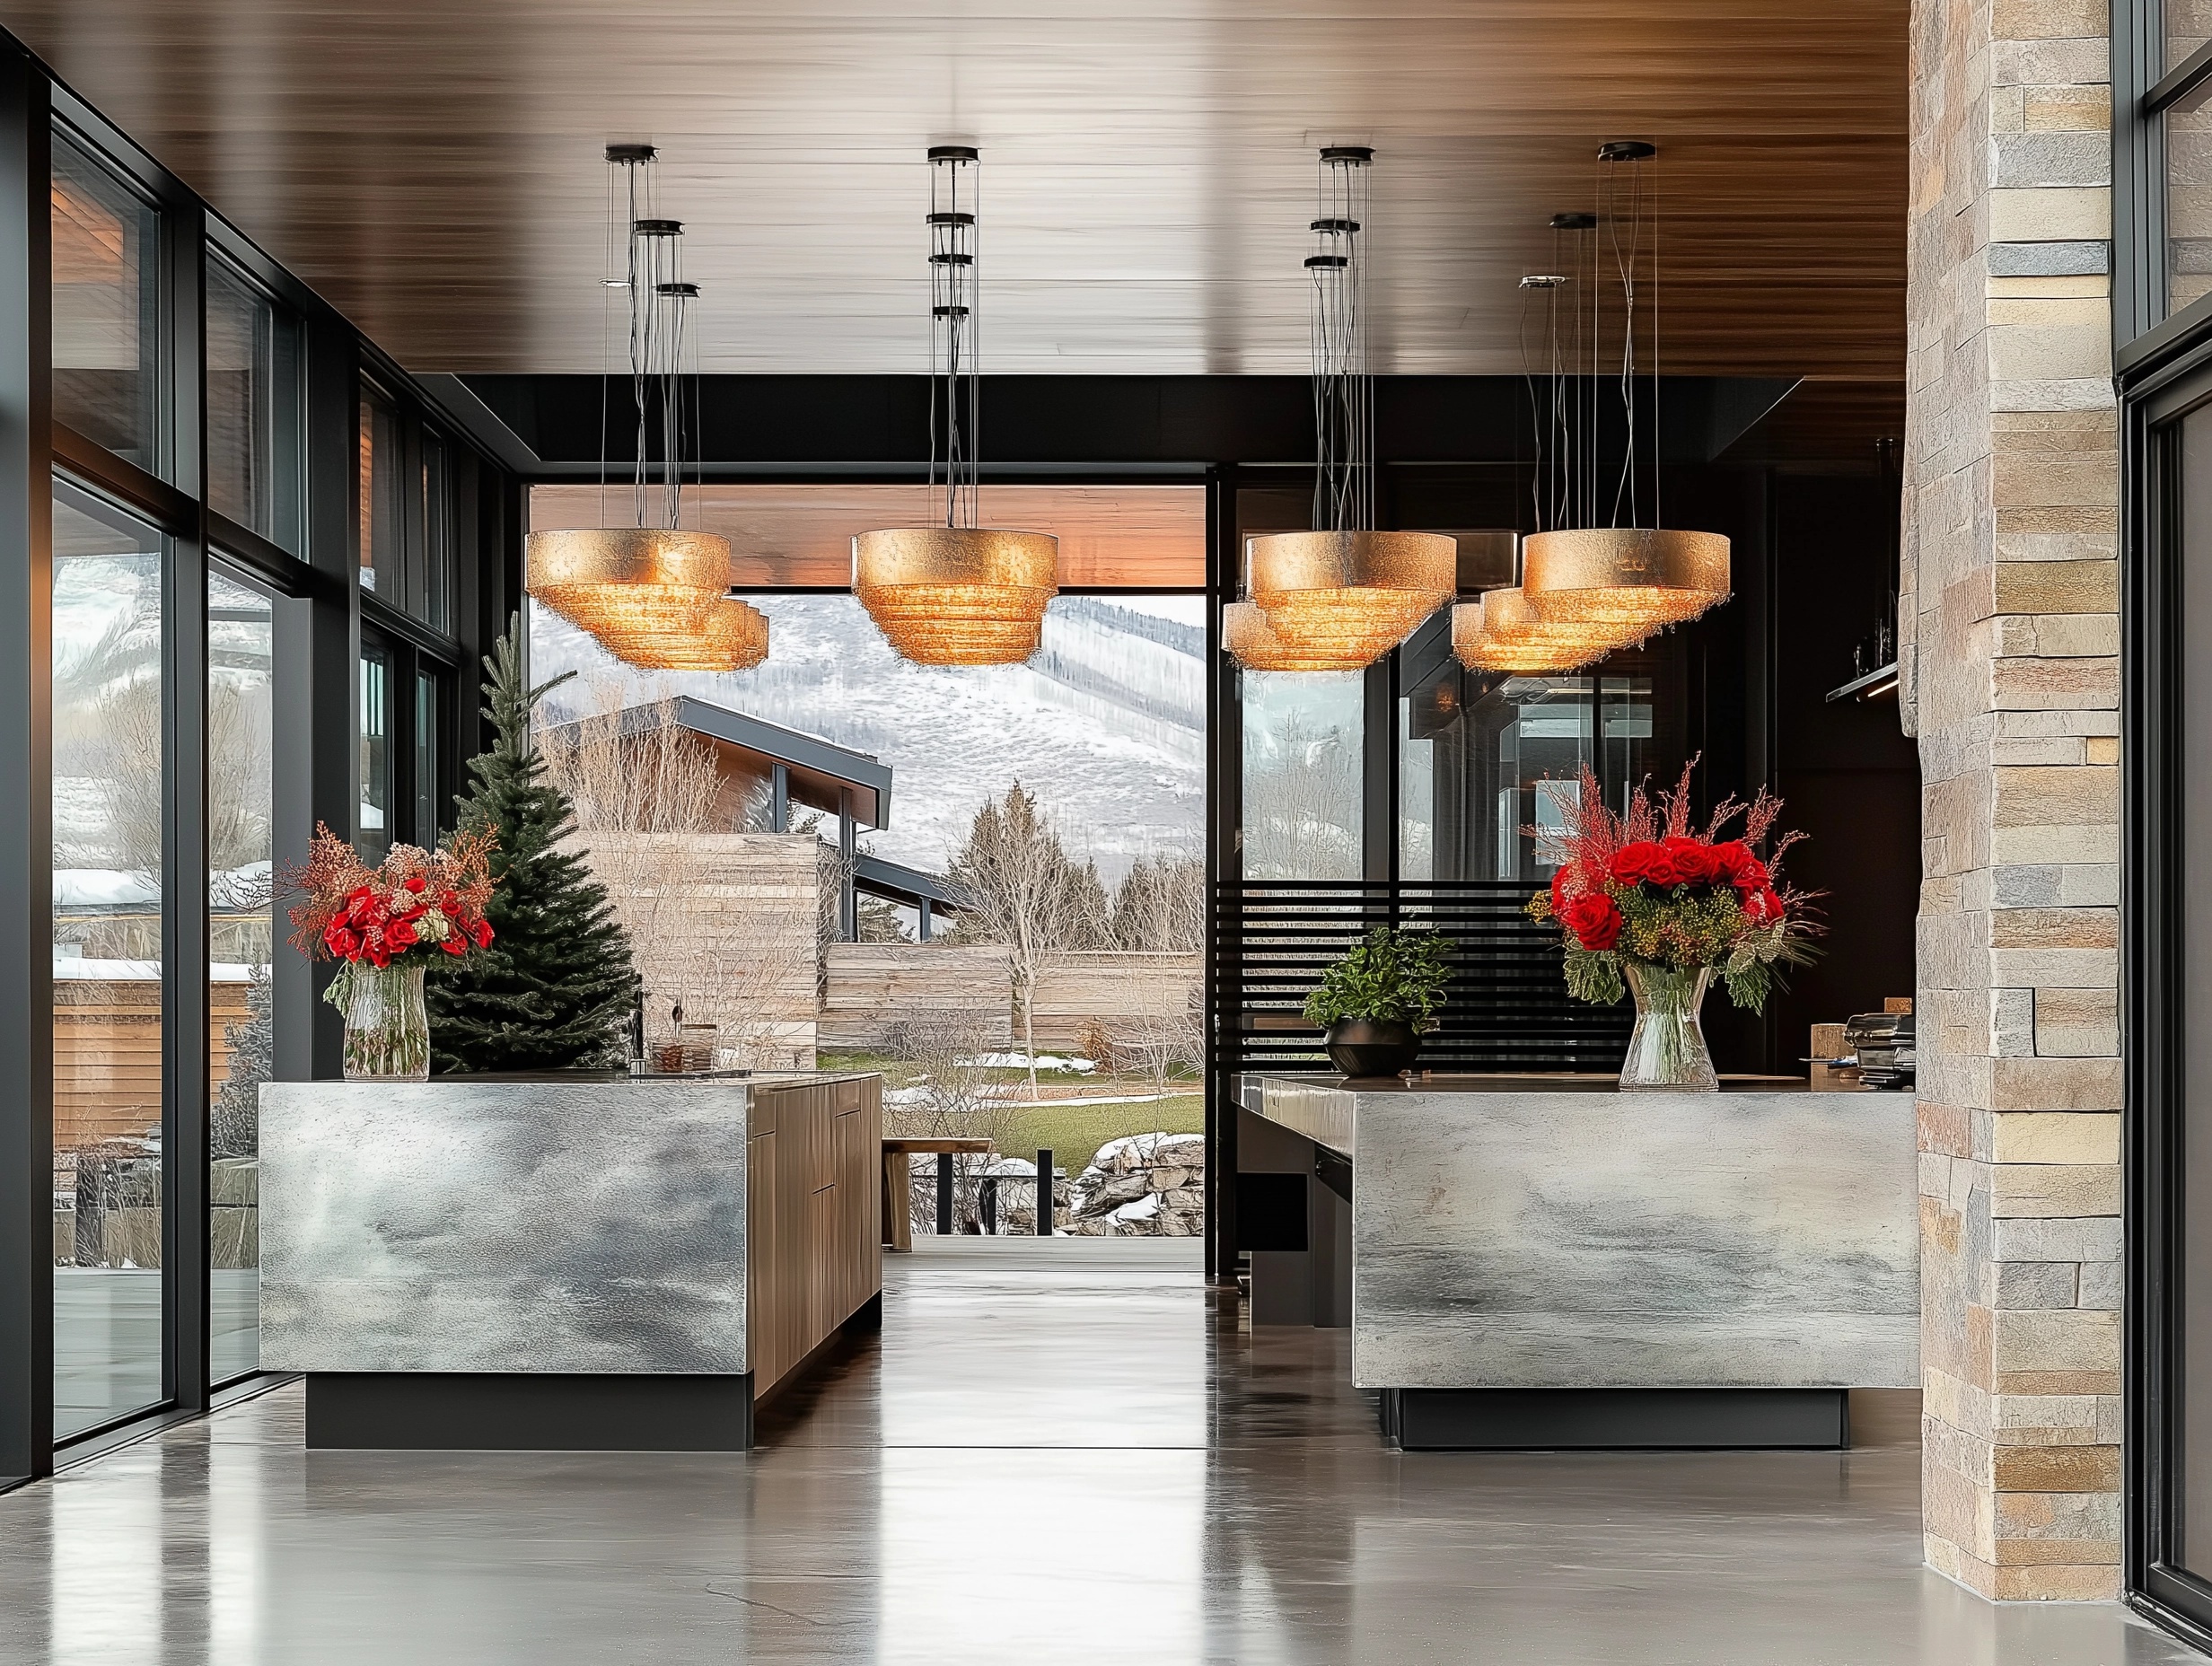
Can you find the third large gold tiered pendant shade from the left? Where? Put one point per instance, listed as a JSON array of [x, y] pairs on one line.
[[1350, 592]]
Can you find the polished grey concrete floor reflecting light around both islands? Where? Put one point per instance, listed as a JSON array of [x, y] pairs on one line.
[[1056, 1452]]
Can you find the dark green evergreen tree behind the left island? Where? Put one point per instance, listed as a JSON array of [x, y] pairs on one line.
[[556, 988]]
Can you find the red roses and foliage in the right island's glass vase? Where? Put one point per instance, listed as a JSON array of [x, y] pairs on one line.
[[1645, 893]]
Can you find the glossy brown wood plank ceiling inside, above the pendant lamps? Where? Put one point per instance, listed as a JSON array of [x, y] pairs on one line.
[[1149, 167]]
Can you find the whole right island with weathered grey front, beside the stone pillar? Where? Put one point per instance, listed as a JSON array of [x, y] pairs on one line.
[[1554, 1262]]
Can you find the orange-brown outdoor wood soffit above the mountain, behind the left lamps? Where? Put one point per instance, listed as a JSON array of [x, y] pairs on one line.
[[1129, 539]]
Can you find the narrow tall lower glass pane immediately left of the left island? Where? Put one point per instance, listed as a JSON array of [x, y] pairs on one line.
[[240, 950]]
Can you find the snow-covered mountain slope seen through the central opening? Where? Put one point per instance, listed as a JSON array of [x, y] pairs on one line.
[[1107, 725]]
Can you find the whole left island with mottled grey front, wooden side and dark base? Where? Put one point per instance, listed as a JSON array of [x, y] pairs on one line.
[[563, 1262]]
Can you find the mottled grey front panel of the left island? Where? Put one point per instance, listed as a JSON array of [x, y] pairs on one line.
[[503, 1227]]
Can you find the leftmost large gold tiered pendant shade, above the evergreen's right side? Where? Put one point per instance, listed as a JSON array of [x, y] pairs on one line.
[[629, 581]]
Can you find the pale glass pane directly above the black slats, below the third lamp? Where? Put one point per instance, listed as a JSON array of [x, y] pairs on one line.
[[1302, 773]]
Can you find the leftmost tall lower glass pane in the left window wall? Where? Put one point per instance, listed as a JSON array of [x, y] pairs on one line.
[[107, 964]]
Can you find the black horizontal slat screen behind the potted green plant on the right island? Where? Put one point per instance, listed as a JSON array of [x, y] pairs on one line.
[[1507, 1010]]
